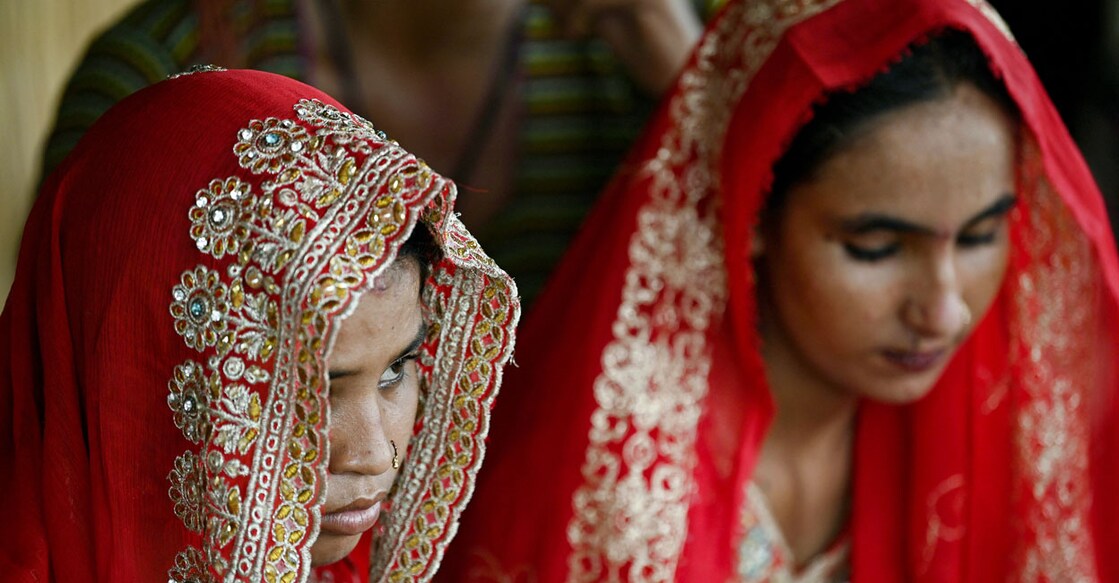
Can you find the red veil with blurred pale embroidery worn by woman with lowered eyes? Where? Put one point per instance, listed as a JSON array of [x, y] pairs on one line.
[[612, 462]]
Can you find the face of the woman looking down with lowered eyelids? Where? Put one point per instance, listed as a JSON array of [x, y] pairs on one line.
[[883, 261]]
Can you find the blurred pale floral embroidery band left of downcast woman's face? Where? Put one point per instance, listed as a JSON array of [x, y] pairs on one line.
[[631, 514]]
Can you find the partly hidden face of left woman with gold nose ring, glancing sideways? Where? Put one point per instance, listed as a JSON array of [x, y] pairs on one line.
[[374, 393]]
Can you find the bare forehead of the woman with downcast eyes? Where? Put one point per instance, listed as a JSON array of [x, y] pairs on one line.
[[934, 162]]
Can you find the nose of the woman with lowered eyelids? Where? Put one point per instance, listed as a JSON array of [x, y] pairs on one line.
[[936, 306]]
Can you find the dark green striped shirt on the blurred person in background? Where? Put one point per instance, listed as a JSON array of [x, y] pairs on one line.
[[581, 111]]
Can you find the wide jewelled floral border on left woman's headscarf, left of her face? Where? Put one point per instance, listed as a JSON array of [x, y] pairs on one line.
[[297, 245]]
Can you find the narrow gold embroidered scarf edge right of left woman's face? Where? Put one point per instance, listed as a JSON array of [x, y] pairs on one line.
[[450, 454]]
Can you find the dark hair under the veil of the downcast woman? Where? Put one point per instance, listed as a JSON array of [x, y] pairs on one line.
[[927, 72]]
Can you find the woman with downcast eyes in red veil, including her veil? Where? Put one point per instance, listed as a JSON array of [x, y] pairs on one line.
[[976, 440]]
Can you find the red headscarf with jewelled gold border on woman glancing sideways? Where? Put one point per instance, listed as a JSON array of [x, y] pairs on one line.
[[164, 403]]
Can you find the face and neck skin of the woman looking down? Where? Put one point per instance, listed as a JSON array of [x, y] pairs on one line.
[[852, 275]]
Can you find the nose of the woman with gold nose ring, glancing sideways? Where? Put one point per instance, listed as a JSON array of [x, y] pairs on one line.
[[359, 444]]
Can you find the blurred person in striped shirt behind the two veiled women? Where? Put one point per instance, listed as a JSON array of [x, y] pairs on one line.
[[528, 105]]
